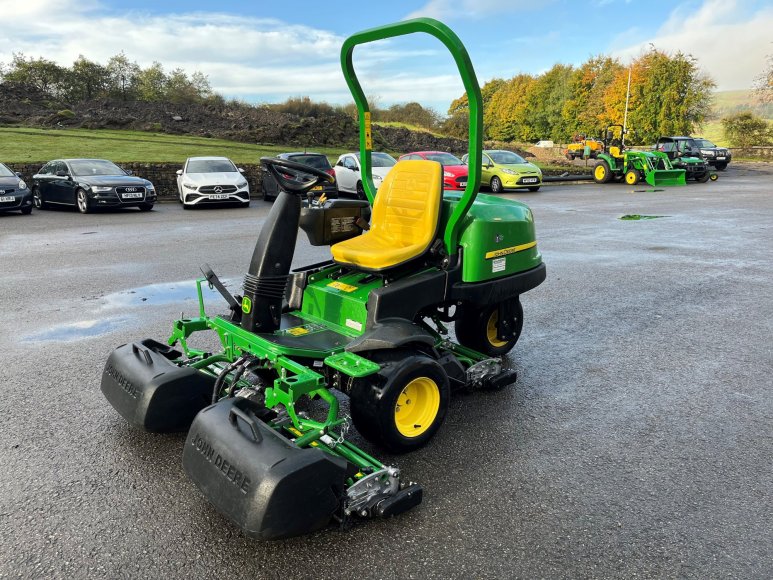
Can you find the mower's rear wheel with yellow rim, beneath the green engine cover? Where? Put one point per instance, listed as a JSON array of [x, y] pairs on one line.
[[476, 329]]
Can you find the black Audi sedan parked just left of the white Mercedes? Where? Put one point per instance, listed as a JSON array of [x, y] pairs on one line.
[[90, 183]]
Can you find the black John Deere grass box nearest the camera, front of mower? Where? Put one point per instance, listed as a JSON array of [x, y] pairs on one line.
[[258, 479]]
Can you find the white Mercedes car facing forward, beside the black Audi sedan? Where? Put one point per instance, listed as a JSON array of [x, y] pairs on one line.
[[211, 180]]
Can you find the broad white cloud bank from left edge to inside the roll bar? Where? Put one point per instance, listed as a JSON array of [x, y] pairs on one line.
[[252, 58]]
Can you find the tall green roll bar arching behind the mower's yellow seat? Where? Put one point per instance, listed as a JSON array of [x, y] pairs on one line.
[[462, 59]]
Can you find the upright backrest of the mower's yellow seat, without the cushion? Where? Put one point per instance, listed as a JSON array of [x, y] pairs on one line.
[[407, 206]]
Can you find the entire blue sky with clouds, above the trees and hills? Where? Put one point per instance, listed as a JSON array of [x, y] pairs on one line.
[[268, 51]]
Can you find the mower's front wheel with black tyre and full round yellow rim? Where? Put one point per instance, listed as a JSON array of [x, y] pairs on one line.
[[410, 383]]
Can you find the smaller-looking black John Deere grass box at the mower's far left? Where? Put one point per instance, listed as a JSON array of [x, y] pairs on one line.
[[152, 392]]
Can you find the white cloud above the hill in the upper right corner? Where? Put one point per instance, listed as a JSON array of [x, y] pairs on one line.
[[729, 43]]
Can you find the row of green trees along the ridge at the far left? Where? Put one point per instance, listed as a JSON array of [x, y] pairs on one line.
[[120, 78]]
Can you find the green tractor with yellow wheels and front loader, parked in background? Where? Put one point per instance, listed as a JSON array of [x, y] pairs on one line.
[[617, 162]]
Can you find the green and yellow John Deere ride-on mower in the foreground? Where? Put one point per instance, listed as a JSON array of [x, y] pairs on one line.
[[267, 441]]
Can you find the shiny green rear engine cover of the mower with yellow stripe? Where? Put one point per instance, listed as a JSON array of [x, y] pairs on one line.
[[498, 237]]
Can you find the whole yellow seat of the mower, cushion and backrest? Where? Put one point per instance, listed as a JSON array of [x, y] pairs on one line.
[[404, 220]]
